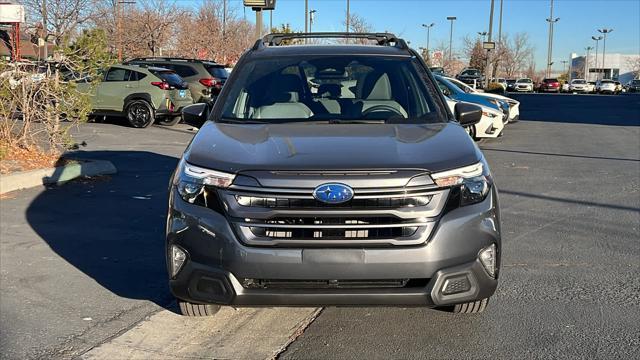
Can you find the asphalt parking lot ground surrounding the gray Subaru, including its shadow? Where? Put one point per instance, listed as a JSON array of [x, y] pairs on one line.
[[83, 264]]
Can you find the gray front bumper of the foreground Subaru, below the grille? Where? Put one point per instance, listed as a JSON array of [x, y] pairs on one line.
[[218, 264]]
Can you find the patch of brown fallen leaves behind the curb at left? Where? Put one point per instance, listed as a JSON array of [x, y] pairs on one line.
[[14, 158]]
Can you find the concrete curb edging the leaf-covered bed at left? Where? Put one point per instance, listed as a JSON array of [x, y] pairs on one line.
[[56, 175]]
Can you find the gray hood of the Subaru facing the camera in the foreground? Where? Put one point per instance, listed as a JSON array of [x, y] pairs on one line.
[[235, 148]]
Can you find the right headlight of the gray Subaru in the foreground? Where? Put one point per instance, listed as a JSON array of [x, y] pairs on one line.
[[474, 181]]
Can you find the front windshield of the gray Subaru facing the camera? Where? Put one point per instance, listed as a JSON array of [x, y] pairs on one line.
[[332, 88]]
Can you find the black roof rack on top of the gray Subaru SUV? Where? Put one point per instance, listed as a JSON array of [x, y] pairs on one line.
[[382, 39]]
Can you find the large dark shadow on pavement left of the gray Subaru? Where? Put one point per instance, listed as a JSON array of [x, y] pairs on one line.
[[112, 228]]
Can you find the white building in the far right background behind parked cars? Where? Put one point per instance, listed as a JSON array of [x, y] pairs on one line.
[[616, 66]]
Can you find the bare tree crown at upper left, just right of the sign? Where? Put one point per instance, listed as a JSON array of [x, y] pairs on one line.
[[64, 17]]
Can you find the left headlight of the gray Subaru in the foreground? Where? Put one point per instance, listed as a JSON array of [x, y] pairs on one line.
[[191, 180]]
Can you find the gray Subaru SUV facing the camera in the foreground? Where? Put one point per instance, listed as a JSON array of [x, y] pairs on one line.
[[332, 174]]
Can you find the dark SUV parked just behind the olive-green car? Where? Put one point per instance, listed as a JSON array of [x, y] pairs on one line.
[[205, 78]]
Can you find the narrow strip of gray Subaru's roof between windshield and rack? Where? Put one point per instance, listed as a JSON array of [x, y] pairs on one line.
[[297, 50]]
